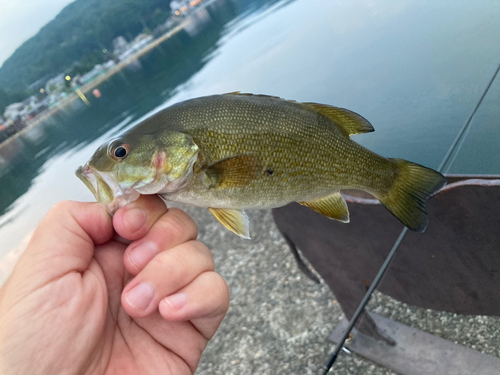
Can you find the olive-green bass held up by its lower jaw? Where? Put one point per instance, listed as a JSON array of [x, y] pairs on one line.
[[232, 152]]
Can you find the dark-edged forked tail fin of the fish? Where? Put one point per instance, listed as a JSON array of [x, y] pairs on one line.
[[413, 186]]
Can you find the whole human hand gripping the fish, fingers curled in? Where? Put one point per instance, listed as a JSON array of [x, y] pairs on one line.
[[81, 302]]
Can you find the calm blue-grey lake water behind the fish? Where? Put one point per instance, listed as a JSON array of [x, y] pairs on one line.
[[414, 69]]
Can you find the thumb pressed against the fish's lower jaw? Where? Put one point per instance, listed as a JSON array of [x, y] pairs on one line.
[[64, 242]]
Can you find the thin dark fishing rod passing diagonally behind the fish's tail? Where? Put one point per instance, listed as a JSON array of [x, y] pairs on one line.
[[458, 139]]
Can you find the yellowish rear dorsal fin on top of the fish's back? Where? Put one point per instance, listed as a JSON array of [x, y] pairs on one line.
[[348, 121]]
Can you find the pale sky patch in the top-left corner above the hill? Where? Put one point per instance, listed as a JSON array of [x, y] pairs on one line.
[[21, 19]]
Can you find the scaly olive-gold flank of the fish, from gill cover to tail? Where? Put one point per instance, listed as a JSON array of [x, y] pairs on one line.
[[303, 164]]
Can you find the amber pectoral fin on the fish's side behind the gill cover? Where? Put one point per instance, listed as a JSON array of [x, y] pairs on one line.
[[234, 171]]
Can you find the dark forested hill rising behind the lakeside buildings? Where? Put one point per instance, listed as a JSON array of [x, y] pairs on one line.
[[82, 28]]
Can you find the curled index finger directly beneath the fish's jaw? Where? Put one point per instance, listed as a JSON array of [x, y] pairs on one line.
[[136, 219]]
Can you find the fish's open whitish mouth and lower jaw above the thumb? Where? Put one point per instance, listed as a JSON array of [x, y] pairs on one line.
[[105, 189]]
